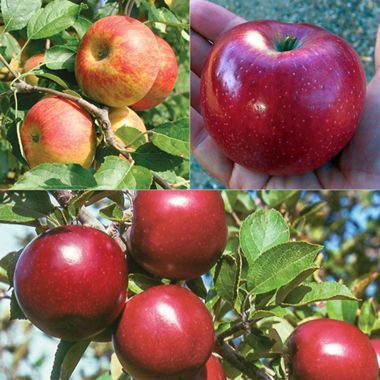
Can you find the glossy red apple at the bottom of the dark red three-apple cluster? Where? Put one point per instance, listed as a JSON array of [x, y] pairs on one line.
[[164, 333]]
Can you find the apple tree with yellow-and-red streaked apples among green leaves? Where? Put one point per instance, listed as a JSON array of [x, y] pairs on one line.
[[57, 131]]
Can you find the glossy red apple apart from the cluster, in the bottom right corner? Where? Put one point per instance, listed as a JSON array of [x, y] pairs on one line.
[[330, 350]]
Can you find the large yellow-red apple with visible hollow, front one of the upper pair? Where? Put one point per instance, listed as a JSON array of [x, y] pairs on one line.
[[117, 61]]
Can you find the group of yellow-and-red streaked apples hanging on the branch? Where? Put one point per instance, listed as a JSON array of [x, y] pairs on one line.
[[120, 63]]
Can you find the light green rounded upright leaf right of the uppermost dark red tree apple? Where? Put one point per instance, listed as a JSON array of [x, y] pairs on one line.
[[261, 231]]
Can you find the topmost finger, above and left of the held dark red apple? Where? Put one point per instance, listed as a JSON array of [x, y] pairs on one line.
[[210, 20]]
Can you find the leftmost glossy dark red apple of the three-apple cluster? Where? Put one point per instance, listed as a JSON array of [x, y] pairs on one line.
[[71, 282]]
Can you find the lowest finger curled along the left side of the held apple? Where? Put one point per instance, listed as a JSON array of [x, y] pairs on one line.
[[207, 153]]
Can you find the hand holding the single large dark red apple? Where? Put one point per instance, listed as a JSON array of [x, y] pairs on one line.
[[357, 166]]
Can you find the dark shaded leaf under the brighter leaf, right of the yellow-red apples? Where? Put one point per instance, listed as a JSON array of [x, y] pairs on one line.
[[155, 159]]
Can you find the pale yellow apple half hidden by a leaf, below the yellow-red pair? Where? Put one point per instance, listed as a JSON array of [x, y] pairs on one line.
[[126, 117]]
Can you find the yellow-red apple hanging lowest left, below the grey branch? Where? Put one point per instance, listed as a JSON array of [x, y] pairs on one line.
[[57, 130]]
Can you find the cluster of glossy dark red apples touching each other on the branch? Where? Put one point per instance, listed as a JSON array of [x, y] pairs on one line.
[[71, 282]]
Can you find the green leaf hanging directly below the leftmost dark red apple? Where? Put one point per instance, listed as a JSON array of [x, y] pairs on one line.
[[66, 358]]
